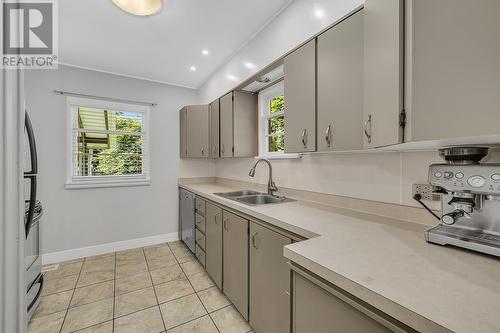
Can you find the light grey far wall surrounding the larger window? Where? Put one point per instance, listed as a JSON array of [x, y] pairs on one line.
[[88, 217]]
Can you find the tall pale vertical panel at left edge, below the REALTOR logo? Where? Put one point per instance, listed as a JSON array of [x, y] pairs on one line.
[[13, 314]]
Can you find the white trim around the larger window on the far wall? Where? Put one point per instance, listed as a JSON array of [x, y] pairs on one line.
[[82, 182]]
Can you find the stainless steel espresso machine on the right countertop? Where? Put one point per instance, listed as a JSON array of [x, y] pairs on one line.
[[470, 200]]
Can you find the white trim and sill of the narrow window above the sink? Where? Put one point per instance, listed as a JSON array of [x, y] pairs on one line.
[[265, 97]]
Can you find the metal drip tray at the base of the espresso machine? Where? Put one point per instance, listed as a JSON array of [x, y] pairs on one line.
[[475, 240]]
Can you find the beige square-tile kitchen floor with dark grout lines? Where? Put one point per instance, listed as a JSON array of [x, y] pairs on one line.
[[154, 289]]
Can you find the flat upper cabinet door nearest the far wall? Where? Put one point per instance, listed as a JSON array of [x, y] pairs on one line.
[[197, 128]]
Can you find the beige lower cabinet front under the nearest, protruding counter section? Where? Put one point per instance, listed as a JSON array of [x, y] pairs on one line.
[[321, 308]]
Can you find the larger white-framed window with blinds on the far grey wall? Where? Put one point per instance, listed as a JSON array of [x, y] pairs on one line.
[[107, 144]]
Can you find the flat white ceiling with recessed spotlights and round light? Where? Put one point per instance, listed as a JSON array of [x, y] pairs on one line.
[[96, 34]]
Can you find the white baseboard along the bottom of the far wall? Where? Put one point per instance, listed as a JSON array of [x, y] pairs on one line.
[[55, 257]]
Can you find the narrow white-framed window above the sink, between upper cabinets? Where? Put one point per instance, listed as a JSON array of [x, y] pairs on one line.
[[272, 121]]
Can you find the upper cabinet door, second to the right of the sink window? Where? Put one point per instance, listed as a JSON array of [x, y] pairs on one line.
[[340, 86]]
